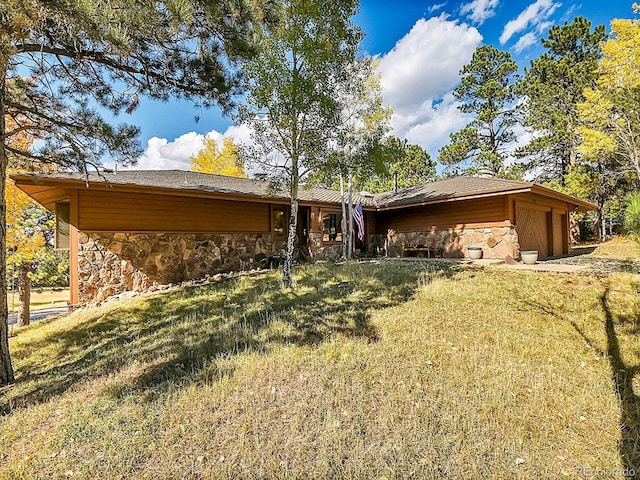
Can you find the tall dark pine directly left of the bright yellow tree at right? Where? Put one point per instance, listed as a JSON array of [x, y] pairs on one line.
[[552, 87]]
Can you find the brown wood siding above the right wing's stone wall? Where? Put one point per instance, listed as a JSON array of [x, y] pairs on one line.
[[470, 213]]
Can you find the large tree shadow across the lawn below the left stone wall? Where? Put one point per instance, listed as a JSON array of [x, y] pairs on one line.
[[176, 335]]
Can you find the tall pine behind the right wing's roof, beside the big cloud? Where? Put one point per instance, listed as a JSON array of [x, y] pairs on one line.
[[486, 92]]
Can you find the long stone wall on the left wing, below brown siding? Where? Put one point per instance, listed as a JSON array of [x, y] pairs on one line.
[[113, 263]]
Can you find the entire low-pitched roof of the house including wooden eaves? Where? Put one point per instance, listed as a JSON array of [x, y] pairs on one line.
[[181, 183]]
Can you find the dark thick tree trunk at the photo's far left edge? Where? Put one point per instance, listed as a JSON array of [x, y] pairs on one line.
[[6, 370]]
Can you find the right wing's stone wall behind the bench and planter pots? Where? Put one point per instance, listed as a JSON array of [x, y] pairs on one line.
[[496, 242]]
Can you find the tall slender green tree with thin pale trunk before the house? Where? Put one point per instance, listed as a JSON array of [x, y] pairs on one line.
[[292, 105]]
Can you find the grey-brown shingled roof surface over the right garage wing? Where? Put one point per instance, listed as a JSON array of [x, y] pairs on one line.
[[445, 189]]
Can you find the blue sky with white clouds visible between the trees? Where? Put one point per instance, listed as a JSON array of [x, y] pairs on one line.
[[422, 47]]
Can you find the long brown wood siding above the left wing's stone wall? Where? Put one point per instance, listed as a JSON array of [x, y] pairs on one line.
[[138, 212]]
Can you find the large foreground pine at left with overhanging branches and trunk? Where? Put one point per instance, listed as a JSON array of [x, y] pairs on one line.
[[57, 57]]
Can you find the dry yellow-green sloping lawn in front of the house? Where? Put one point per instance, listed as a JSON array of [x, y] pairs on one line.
[[366, 370]]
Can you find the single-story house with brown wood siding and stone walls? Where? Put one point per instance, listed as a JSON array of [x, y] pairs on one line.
[[128, 230]]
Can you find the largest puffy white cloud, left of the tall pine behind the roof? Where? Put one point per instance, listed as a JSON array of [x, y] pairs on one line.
[[418, 75]]
